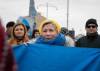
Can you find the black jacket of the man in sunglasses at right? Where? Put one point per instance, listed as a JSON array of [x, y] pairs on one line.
[[90, 42]]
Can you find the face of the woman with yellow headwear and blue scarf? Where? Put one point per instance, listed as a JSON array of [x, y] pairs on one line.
[[49, 31]]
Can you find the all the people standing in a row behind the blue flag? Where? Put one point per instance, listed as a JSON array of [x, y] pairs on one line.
[[50, 32]]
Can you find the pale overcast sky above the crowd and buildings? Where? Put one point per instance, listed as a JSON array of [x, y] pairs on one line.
[[79, 11]]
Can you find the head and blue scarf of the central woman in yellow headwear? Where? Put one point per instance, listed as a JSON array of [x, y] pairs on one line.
[[50, 34]]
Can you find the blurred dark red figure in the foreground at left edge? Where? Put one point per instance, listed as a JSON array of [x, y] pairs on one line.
[[7, 61]]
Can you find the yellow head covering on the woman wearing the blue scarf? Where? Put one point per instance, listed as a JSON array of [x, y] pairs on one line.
[[50, 21]]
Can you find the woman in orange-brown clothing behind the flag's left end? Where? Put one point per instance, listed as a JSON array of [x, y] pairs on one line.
[[19, 35]]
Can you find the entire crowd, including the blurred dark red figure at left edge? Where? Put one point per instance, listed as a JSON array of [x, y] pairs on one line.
[[49, 32]]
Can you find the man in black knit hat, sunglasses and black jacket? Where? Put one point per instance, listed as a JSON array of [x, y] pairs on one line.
[[92, 38]]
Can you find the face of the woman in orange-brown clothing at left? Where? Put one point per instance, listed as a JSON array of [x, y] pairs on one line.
[[19, 30]]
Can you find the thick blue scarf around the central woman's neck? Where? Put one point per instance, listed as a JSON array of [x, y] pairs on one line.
[[58, 40]]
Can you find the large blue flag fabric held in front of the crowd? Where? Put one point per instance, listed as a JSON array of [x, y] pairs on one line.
[[39, 57]]
